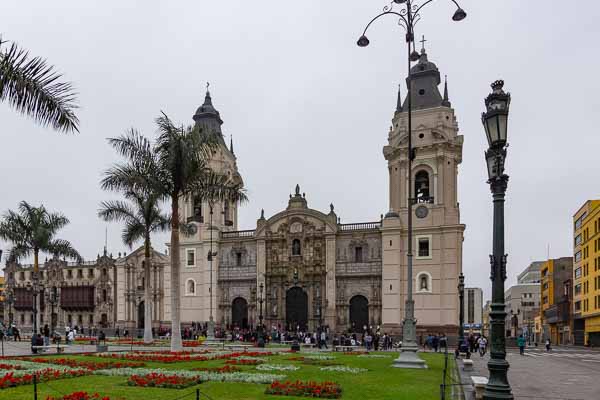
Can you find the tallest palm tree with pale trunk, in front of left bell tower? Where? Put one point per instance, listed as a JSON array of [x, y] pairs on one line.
[[179, 162]]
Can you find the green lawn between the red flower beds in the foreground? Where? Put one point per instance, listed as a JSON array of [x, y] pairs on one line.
[[380, 382]]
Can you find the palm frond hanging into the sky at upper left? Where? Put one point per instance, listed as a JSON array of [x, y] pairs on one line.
[[32, 87]]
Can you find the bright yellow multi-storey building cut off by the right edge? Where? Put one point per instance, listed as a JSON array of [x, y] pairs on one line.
[[586, 273]]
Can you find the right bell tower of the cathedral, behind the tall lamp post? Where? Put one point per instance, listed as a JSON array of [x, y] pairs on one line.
[[437, 230]]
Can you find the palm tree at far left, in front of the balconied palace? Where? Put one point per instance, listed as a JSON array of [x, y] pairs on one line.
[[32, 230]]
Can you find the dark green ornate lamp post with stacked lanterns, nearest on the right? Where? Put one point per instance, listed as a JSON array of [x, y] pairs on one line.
[[495, 123]]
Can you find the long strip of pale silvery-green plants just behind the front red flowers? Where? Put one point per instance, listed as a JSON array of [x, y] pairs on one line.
[[201, 375]]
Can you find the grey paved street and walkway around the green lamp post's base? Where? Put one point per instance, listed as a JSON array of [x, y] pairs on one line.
[[562, 373]]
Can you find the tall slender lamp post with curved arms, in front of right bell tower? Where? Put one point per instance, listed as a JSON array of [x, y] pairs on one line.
[[409, 14]]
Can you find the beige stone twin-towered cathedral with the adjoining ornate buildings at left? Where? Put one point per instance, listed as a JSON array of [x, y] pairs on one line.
[[299, 268]]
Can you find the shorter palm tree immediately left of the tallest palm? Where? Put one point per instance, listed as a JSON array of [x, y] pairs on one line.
[[142, 216]]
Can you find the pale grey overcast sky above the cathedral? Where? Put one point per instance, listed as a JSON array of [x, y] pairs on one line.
[[306, 105]]
